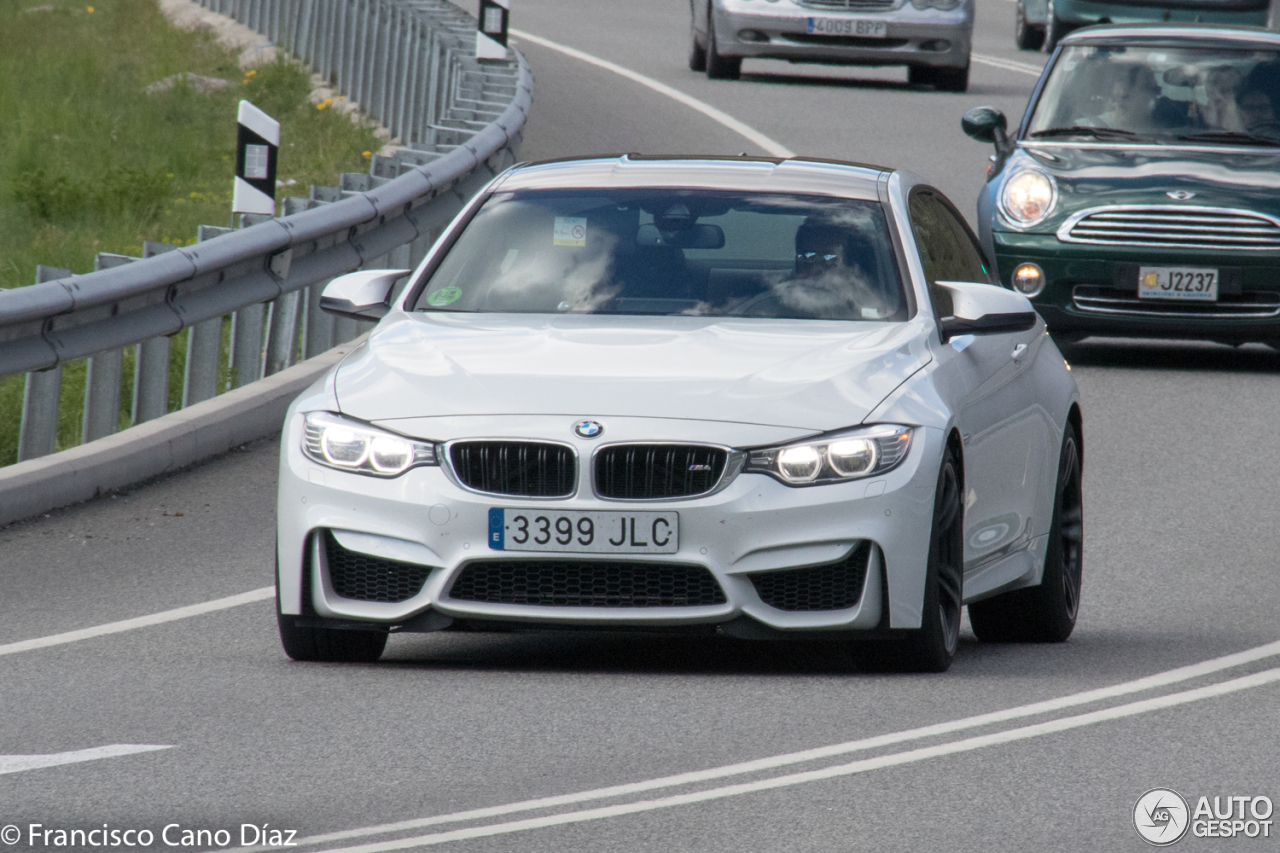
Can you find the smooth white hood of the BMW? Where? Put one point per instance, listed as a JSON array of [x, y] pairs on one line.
[[810, 375]]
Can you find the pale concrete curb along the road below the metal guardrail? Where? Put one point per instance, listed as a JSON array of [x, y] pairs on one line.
[[159, 446]]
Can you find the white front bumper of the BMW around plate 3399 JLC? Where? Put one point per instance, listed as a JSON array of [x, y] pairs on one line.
[[753, 526]]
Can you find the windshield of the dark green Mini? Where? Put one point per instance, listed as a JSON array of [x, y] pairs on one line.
[[1168, 95]]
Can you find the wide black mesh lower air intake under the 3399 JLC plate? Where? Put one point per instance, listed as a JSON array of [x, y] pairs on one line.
[[587, 585]]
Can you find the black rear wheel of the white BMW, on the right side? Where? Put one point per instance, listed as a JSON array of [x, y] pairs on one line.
[[1045, 614]]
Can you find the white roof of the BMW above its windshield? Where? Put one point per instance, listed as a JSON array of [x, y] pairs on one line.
[[742, 174]]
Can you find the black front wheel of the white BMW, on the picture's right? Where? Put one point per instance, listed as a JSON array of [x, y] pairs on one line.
[[932, 647]]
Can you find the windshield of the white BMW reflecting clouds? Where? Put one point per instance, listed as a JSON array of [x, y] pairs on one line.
[[669, 252]]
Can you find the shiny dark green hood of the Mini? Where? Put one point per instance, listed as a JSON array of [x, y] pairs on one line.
[[1222, 177]]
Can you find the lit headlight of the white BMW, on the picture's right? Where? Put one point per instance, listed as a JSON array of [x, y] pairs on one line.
[[835, 459]]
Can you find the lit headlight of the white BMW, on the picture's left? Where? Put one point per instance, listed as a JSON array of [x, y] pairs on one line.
[[353, 446]]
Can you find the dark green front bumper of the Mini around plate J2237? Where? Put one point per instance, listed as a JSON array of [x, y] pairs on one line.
[[1092, 290]]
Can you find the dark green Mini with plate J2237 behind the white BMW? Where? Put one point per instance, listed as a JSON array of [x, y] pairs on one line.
[[1141, 194]]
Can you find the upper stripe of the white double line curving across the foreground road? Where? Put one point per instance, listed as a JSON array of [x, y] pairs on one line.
[[1087, 697]]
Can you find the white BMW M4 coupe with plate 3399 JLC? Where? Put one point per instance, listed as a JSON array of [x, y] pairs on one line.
[[766, 399]]
